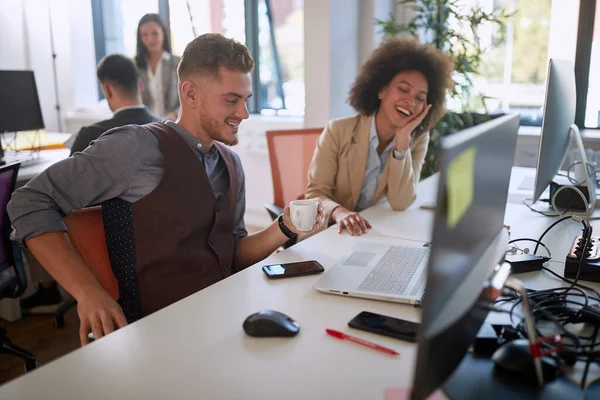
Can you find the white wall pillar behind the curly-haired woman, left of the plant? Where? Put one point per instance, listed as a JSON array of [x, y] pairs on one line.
[[339, 35]]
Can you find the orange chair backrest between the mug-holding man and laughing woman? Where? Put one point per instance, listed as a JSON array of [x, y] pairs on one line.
[[290, 154]]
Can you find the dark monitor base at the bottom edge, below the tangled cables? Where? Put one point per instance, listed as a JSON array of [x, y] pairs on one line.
[[475, 379]]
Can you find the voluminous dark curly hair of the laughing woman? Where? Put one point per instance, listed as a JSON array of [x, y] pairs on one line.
[[394, 56]]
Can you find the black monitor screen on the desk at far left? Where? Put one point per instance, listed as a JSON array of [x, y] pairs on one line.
[[19, 103]]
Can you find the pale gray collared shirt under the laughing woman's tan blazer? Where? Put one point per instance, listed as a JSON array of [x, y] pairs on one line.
[[375, 165]]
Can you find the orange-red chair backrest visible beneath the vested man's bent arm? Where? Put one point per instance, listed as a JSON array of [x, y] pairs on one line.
[[86, 231]]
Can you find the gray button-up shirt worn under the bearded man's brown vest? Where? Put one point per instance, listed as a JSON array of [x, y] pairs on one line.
[[123, 163]]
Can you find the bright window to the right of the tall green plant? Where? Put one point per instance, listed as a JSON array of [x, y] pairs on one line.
[[513, 74]]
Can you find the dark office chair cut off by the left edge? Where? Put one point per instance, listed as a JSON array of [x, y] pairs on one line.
[[13, 279]]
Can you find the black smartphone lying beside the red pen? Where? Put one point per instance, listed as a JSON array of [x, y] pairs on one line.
[[387, 326]]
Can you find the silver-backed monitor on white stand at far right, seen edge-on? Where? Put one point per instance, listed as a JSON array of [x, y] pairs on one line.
[[557, 127]]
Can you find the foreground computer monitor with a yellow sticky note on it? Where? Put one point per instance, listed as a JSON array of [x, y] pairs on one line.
[[468, 243]]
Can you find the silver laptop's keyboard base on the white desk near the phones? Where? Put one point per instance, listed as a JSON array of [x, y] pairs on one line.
[[382, 272]]
